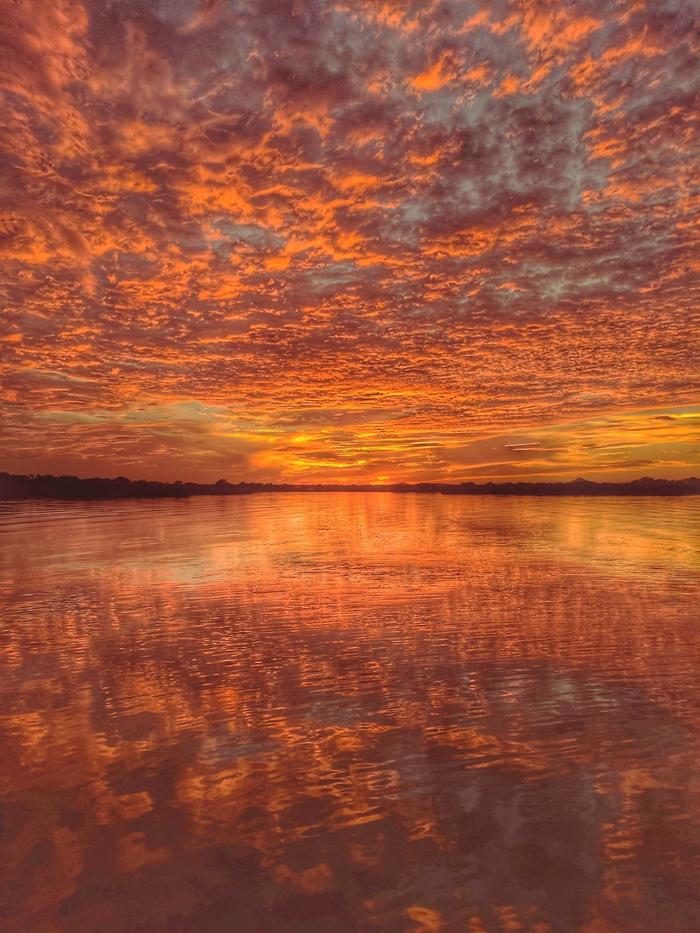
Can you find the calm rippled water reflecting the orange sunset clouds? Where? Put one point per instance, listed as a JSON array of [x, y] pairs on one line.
[[350, 712]]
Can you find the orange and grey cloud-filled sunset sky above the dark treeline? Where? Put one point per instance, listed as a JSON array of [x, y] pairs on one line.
[[350, 241]]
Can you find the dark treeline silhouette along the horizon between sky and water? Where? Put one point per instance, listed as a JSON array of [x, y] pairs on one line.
[[73, 487]]
